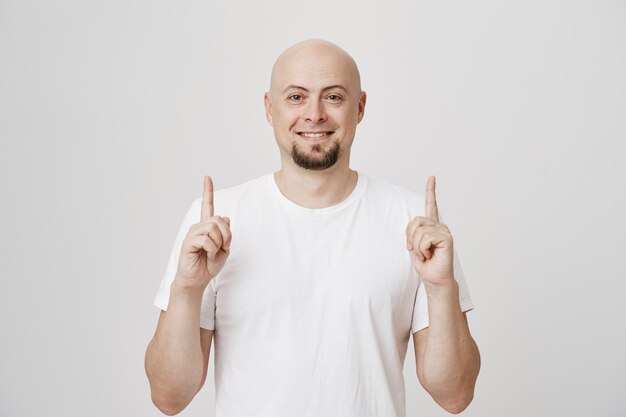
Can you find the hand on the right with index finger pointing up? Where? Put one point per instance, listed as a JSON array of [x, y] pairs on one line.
[[430, 243]]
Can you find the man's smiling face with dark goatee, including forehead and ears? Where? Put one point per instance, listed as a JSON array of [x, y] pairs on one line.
[[314, 105]]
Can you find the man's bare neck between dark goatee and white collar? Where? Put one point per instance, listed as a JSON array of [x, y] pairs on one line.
[[316, 189]]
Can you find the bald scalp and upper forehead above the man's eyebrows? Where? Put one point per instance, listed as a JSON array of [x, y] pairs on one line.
[[314, 58]]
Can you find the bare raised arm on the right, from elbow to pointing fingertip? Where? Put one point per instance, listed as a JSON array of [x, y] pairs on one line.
[[446, 357]]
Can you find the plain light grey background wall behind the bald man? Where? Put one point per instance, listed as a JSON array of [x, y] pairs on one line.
[[112, 112]]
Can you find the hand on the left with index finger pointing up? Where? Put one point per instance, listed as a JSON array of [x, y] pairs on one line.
[[206, 246]]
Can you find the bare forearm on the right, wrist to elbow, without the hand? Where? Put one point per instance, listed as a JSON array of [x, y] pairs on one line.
[[451, 359]]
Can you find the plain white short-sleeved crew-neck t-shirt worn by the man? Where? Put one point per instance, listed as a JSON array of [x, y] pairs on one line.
[[313, 310]]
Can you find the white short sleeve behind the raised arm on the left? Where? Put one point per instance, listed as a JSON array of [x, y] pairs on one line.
[[161, 300]]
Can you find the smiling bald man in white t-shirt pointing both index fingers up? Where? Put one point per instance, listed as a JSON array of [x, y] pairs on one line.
[[312, 303]]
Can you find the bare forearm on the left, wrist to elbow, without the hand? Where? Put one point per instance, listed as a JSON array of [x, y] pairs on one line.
[[174, 358]]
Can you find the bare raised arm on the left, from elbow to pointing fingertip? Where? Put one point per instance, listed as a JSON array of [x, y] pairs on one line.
[[177, 357]]
